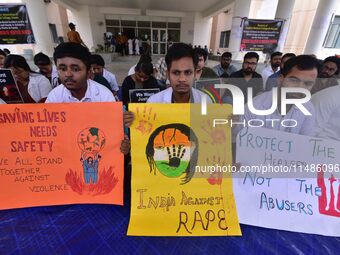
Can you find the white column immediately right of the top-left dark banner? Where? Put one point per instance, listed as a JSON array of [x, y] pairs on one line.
[[39, 22]]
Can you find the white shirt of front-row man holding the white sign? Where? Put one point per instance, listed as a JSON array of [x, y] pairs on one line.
[[305, 124]]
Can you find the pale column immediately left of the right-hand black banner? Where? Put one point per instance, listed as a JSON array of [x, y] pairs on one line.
[[241, 9]]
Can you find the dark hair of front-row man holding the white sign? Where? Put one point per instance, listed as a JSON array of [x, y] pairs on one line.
[[302, 62]]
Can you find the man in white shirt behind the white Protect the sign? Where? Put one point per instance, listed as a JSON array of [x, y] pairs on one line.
[[298, 72]]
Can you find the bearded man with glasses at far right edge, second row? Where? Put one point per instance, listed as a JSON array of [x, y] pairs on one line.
[[331, 67]]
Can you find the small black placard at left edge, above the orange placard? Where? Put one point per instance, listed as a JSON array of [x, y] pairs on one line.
[[9, 91]]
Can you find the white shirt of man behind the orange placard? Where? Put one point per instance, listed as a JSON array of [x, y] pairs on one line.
[[95, 93]]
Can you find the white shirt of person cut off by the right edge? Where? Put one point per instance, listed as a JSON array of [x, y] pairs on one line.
[[327, 112]]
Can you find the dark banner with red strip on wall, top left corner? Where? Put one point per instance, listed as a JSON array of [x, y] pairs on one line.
[[15, 26]]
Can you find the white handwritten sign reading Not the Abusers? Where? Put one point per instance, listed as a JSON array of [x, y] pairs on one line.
[[288, 182]]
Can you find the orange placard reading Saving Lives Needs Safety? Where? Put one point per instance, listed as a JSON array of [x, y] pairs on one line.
[[54, 154]]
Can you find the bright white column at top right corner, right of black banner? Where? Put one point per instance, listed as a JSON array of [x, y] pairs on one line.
[[320, 25]]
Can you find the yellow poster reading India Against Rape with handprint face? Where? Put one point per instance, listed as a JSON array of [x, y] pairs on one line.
[[172, 194]]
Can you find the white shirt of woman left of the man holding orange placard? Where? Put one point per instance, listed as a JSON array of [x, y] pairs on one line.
[[38, 86]]
